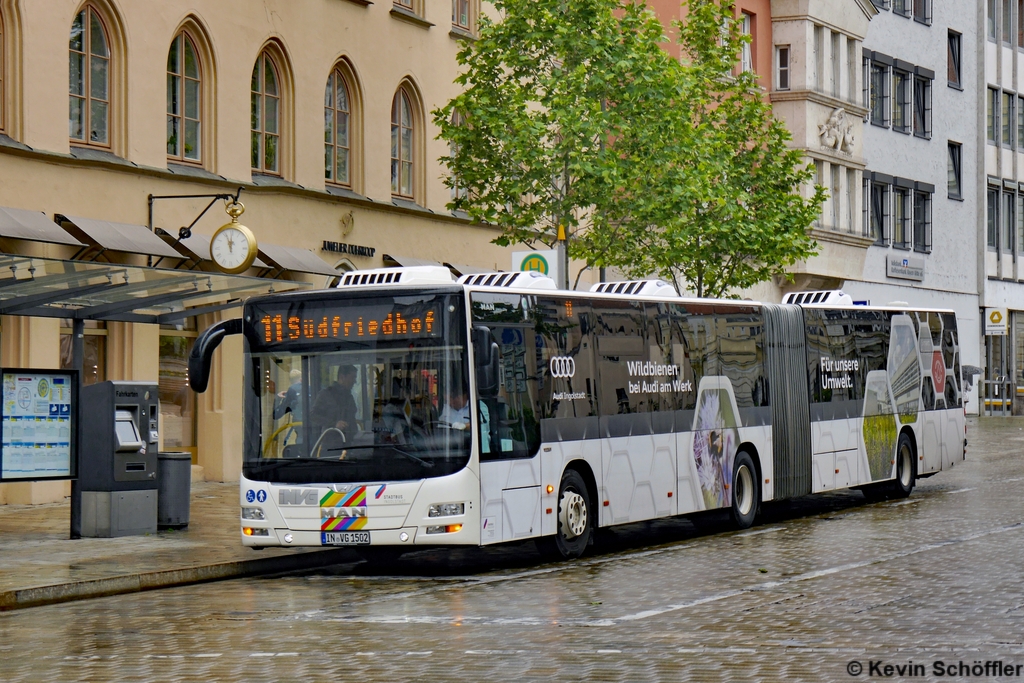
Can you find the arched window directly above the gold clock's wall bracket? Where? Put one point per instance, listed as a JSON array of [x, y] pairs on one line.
[[185, 107]]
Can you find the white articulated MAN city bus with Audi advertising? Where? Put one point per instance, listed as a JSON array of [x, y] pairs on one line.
[[405, 409]]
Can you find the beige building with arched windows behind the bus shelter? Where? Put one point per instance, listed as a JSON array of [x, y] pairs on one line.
[[320, 111]]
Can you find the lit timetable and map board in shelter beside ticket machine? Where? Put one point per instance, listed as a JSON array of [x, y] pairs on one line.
[[36, 425]]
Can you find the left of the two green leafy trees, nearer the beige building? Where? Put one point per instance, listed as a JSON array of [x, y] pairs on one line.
[[546, 90]]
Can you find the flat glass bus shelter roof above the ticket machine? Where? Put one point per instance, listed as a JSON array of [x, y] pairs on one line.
[[84, 290]]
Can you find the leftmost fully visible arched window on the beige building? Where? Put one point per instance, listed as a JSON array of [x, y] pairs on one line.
[[90, 108]]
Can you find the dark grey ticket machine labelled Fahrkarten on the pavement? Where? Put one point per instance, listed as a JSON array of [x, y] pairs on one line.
[[118, 466]]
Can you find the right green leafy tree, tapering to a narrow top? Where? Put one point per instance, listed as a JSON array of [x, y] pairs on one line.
[[719, 208]]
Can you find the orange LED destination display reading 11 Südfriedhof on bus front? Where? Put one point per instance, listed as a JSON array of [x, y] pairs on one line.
[[360, 323]]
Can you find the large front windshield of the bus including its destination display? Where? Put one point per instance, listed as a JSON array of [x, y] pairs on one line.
[[347, 390]]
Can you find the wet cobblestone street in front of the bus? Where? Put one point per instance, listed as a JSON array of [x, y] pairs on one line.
[[819, 584]]
